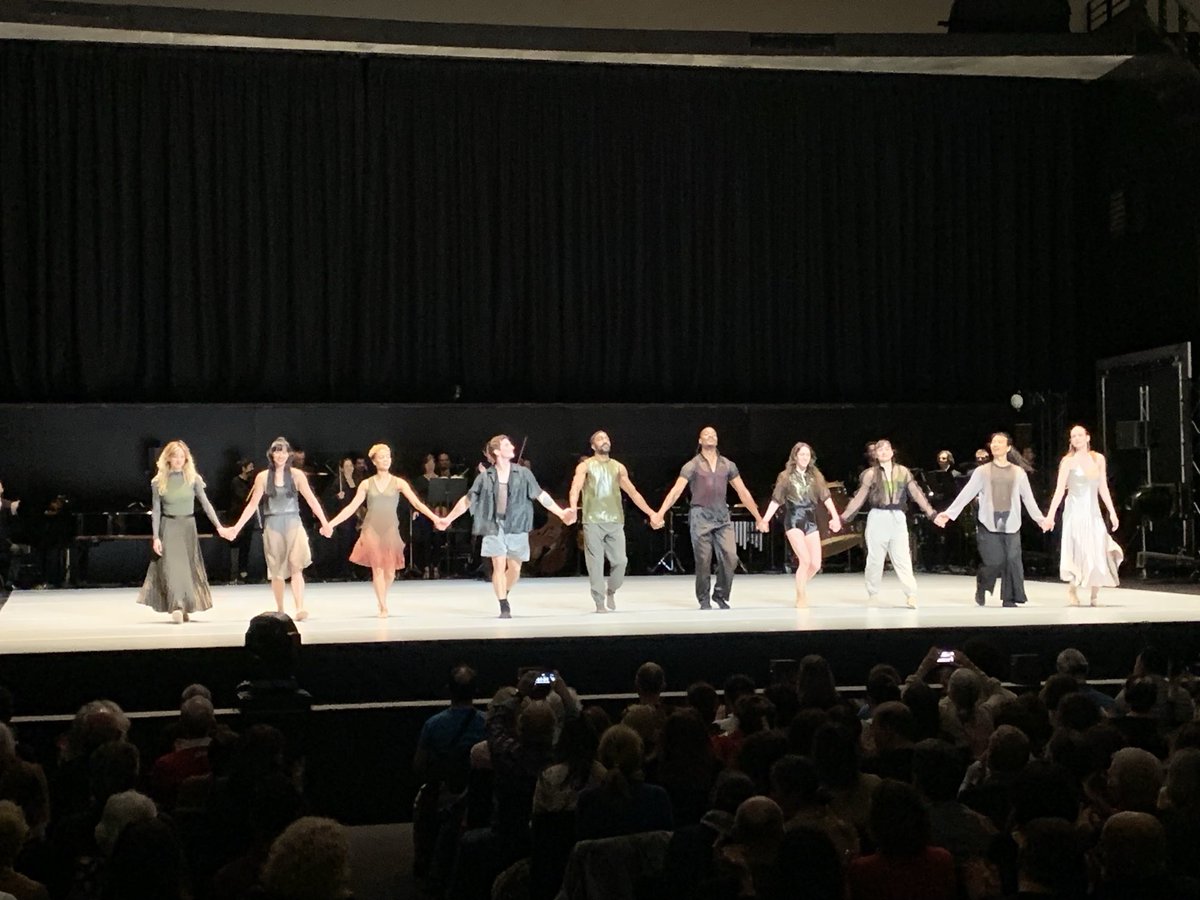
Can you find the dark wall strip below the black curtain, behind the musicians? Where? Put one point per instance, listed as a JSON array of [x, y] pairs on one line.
[[97, 454]]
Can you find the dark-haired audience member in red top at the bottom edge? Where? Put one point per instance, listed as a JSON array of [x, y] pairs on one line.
[[905, 865]]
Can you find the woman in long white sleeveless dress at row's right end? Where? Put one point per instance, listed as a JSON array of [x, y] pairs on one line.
[[1089, 557]]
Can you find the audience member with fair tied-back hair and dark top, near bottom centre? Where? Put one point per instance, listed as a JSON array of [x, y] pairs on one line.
[[623, 803]]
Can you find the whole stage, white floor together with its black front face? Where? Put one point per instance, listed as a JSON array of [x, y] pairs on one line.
[[59, 649]]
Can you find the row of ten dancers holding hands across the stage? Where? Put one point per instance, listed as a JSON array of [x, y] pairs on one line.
[[502, 496]]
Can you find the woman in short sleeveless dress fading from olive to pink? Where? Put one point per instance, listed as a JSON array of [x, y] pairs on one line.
[[380, 547]]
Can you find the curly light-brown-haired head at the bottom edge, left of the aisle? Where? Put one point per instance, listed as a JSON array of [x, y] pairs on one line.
[[309, 861]]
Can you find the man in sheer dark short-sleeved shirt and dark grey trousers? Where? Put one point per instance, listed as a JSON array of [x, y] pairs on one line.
[[710, 476]]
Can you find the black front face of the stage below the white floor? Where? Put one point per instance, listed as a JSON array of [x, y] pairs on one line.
[[355, 674]]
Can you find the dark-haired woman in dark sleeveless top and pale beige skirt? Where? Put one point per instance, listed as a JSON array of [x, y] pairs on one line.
[[285, 542]]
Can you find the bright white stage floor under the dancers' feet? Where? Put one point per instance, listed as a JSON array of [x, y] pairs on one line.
[[111, 620]]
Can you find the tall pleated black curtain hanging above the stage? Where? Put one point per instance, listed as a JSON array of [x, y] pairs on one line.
[[255, 227]]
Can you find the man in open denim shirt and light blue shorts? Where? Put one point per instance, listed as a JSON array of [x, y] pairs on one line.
[[501, 503]]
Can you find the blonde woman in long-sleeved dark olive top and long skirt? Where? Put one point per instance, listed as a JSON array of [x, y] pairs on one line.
[[177, 581]]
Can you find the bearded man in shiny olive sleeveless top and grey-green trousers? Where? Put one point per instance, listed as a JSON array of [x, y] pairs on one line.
[[601, 479]]
